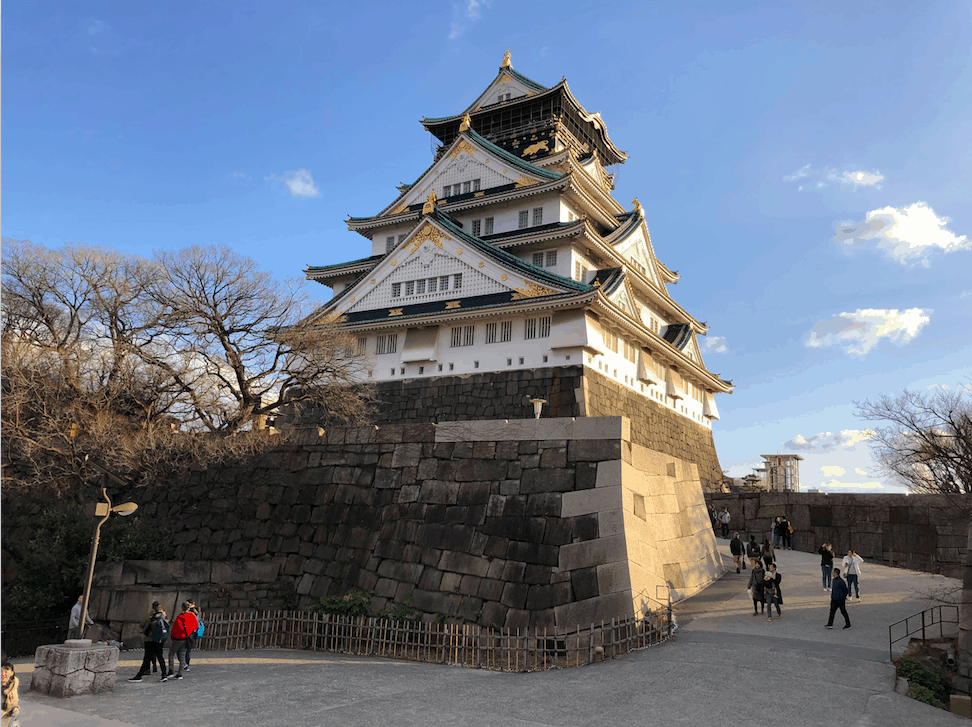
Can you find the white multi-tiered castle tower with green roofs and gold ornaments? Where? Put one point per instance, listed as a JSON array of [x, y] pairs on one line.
[[510, 253]]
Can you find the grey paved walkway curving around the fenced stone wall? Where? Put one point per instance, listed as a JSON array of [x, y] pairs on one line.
[[725, 667]]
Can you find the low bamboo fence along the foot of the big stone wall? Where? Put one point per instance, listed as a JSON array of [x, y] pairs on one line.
[[504, 649]]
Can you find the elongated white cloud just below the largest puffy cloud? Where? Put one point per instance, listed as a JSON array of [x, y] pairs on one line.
[[860, 331]]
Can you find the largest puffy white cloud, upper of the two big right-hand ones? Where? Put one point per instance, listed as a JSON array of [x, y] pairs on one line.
[[904, 233]]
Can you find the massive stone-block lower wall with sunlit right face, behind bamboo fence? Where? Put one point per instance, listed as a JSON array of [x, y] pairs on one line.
[[550, 522]]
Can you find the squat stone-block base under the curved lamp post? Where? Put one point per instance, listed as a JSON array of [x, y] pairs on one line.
[[73, 668]]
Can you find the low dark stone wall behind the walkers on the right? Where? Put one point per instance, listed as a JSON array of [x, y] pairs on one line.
[[920, 532]]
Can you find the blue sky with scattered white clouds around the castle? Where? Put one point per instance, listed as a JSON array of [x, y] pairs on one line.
[[804, 166]]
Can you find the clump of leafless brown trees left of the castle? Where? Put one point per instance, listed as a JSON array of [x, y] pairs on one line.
[[148, 366]]
